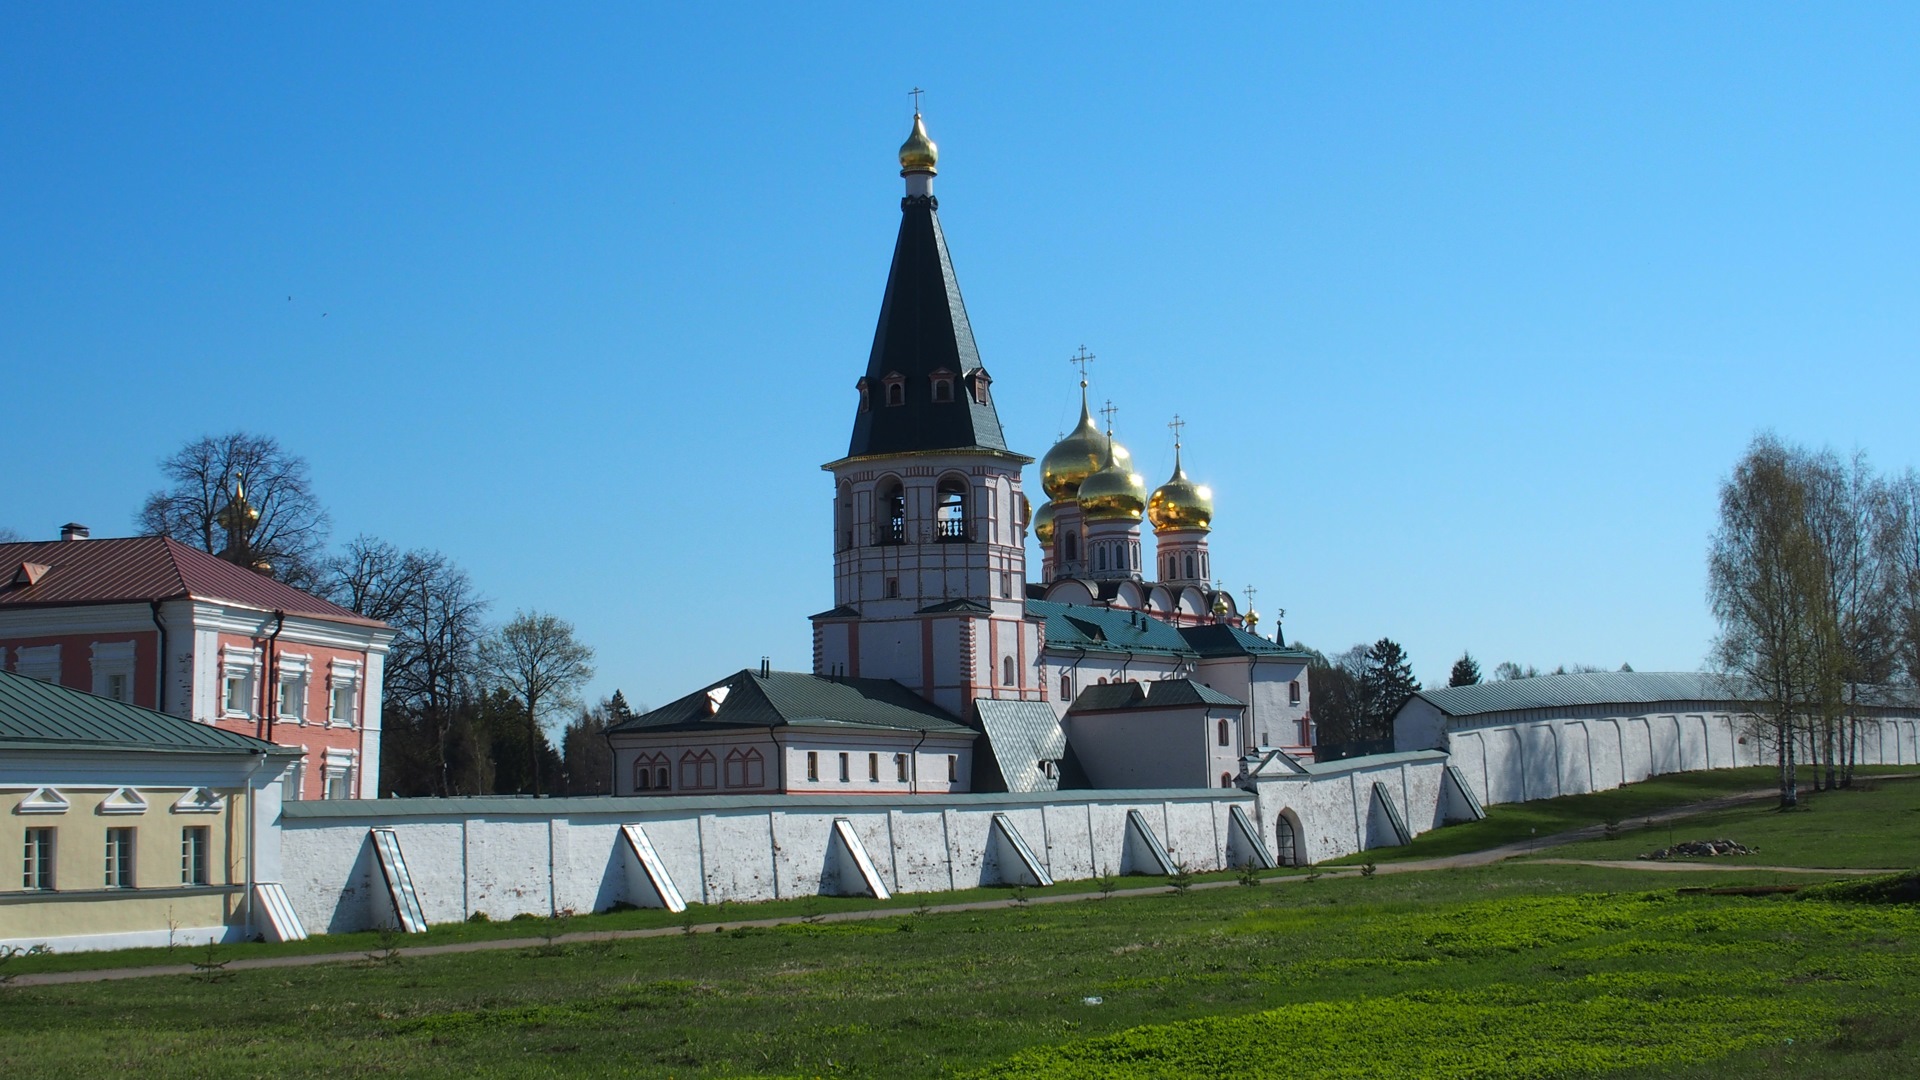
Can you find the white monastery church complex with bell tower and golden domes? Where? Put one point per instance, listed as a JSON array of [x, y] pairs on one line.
[[942, 666]]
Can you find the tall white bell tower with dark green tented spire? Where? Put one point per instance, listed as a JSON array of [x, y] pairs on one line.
[[930, 524]]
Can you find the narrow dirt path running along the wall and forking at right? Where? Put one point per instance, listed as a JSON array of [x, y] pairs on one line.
[[1420, 866]]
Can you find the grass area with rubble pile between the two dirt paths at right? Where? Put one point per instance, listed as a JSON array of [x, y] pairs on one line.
[[1877, 823]]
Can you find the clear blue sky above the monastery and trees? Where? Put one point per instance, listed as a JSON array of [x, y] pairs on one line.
[[1470, 307]]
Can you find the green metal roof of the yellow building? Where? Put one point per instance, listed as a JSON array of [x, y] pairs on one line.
[[41, 716]]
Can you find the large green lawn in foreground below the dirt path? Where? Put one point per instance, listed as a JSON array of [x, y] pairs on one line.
[[1495, 973]]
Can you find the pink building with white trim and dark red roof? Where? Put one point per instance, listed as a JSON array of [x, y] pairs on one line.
[[168, 627]]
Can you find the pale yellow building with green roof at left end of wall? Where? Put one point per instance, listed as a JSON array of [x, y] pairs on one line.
[[132, 827]]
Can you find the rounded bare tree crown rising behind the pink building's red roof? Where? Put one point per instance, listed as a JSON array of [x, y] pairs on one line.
[[293, 526]]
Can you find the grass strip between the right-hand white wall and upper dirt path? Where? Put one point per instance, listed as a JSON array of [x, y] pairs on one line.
[[1518, 823]]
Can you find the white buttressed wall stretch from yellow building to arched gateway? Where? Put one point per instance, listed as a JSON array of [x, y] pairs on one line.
[[498, 858]]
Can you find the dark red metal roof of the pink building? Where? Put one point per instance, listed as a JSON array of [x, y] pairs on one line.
[[145, 570]]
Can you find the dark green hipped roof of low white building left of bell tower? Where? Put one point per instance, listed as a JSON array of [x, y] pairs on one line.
[[790, 699]]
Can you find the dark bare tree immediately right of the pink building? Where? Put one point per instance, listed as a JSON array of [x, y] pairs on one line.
[[433, 664]]
